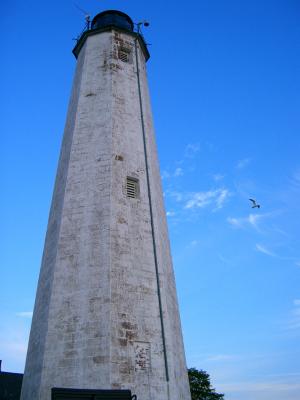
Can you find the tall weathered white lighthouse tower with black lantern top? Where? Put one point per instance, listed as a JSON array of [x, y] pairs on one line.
[[106, 313]]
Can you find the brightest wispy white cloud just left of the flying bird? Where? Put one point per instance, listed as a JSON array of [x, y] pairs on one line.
[[202, 199]]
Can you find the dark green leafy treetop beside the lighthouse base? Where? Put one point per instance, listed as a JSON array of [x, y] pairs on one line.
[[200, 385]]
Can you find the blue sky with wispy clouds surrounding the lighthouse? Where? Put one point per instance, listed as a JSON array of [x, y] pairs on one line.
[[224, 81]]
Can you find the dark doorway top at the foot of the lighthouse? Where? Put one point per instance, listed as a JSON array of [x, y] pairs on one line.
[[89, 394]]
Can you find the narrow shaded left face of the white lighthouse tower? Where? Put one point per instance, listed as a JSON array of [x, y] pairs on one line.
[[38, 334]]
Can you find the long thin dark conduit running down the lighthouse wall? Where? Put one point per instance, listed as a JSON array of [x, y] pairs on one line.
[[151, 213]]
